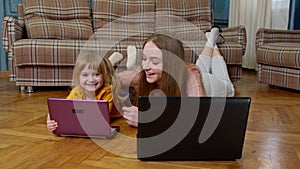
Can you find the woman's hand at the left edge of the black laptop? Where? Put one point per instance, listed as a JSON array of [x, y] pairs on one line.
[[131, 115]]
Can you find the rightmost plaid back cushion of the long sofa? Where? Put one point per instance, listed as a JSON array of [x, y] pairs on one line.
[[186, 18]]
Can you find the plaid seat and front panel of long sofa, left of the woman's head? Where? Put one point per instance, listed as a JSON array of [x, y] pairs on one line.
[[50, 62]]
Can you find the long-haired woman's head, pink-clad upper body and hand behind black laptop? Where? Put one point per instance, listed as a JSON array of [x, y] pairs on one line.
[[163, 72]]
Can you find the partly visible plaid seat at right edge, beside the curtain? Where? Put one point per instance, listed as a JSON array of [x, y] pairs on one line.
[[278, 57]]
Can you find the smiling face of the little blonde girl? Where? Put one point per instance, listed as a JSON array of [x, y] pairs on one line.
[[90, 79]]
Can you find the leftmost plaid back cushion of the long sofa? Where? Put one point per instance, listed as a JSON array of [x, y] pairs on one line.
[[56, 19]]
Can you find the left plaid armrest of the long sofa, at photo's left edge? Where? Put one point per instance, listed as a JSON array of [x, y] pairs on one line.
[[12, 30]]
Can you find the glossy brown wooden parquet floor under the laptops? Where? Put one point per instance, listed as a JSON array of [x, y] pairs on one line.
[[272, 136]]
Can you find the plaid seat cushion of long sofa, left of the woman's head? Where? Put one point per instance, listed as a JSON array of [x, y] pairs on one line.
[[54, 52]]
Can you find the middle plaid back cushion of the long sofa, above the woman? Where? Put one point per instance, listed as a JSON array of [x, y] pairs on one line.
[[118, 19]]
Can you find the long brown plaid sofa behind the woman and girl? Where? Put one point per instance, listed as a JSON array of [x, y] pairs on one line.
[[44, 41]]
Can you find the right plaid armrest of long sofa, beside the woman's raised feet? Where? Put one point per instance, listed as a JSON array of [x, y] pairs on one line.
[[236, 34]]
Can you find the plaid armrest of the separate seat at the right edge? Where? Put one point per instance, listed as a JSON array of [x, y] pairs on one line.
[[264, 35]]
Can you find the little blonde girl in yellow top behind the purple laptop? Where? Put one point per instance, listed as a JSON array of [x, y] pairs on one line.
[[93, 80]]
